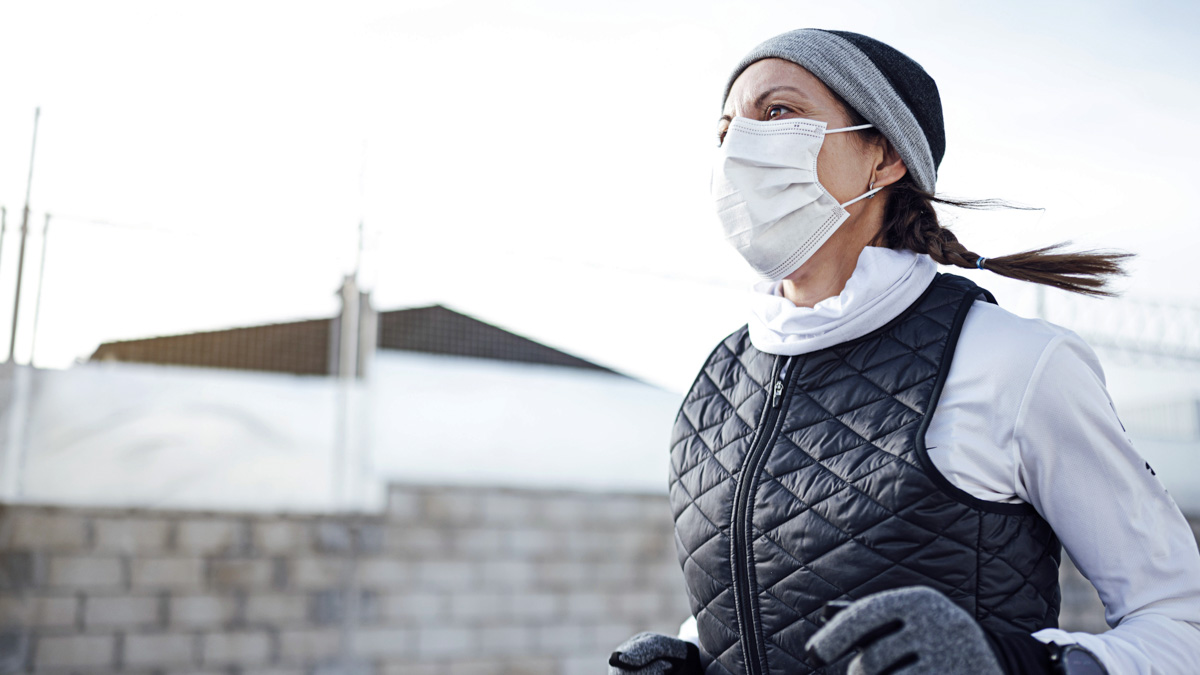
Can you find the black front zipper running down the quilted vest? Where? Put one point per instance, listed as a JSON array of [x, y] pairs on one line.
[[743, 516]]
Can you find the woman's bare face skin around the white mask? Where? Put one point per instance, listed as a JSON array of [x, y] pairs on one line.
[[776, 89]]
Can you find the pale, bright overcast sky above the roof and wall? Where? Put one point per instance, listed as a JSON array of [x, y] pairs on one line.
[[541, 165]]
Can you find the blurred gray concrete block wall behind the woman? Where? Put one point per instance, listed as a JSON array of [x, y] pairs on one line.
[[448, 581]]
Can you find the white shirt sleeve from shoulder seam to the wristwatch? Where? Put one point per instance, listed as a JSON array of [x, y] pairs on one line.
[[1078, 468]]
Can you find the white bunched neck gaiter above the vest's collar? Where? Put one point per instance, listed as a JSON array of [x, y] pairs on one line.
[[885, 284]]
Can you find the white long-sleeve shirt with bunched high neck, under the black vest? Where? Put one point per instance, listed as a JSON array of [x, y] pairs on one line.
[[1025, 417]]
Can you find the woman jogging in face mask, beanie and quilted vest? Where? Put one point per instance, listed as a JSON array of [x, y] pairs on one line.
[[883, 441]]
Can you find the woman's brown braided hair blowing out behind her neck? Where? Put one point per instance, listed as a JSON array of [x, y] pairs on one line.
[[910, 223]]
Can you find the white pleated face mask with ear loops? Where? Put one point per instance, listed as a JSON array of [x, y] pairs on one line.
[[765, 183]]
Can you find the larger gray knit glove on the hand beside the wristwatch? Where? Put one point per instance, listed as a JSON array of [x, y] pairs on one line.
[[903, 632]]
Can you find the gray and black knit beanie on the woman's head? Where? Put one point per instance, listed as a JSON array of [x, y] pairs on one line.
[[884, 86]]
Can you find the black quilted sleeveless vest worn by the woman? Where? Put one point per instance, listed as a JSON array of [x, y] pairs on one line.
[[796, 481]]
